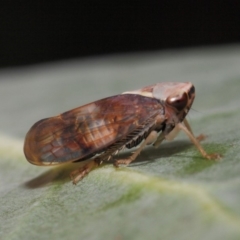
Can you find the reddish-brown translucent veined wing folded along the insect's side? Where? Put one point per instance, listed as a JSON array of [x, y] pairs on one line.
[[87, 130]]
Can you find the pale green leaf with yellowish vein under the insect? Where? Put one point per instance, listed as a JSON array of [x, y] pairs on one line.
[[167, 193]]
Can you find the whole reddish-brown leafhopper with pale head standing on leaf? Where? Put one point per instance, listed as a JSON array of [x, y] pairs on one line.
[[99, 130]]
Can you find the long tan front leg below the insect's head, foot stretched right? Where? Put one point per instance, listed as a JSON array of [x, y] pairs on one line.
[[195, 141]]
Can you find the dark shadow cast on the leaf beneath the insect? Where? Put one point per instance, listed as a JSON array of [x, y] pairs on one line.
[[61, 173]]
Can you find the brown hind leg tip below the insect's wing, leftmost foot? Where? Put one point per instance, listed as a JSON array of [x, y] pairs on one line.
[[80, 173]]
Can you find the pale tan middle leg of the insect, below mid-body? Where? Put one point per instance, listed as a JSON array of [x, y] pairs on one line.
[[150, 139]]
